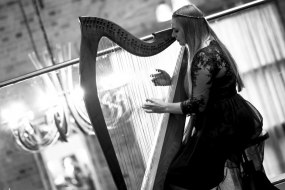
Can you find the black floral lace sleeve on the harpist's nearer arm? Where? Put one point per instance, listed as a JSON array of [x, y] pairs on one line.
[[204, 68]]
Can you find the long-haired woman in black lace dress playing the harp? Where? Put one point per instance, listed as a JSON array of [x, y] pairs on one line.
[[222, 121]]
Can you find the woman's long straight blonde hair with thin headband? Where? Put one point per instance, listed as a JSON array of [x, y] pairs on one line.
[[197, 30]]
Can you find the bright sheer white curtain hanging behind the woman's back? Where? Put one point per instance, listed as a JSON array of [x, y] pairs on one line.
[[256, 40]]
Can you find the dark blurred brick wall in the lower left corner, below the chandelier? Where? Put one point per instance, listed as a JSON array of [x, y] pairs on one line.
[[18, 168]]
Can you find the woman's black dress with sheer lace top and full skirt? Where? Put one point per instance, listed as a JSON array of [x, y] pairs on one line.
[[222, 123]]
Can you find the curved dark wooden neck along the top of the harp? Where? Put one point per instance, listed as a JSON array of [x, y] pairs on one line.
[[95, 28]]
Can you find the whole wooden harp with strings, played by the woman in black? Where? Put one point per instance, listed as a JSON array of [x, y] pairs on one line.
[[168, 136]]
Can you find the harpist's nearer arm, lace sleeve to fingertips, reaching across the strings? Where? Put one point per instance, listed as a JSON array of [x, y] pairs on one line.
[[204, 68]]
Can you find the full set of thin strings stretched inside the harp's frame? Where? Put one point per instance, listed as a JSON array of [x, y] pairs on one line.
[[124, 80]]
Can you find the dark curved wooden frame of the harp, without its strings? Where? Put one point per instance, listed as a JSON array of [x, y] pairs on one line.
[[92, 30]]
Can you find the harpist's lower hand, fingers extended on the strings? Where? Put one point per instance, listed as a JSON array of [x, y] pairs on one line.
[[155, 106]]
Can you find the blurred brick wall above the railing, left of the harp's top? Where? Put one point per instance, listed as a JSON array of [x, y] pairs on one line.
[[60, 19]]
